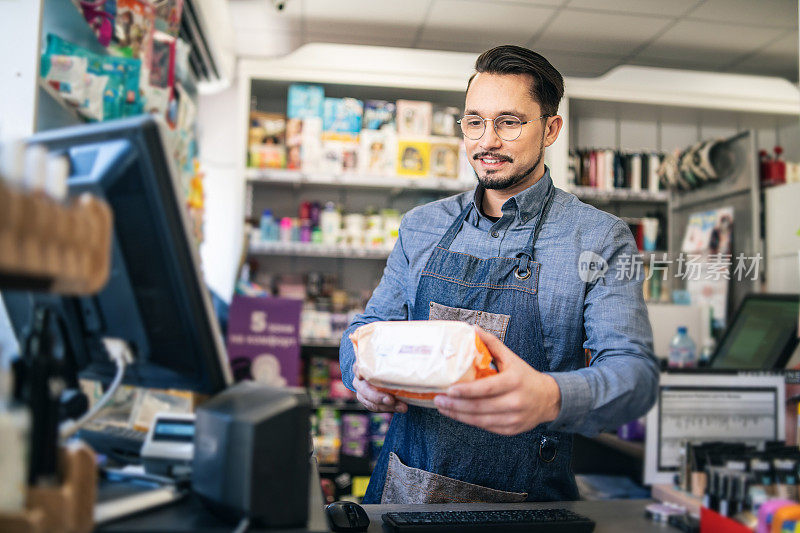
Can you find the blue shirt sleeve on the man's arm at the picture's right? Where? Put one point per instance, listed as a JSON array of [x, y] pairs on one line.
[[621, 381]]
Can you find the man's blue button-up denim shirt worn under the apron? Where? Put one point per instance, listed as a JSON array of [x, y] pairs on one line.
[[607, 315]]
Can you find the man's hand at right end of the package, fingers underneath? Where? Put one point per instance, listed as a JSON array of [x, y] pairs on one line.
[[515, 400]]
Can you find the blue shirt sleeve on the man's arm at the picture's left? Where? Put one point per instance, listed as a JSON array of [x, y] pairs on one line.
[[388, 302]]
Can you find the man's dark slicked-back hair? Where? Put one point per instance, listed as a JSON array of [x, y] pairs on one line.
[[547, 88]]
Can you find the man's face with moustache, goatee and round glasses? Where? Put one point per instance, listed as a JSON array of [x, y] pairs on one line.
[[502, 164]]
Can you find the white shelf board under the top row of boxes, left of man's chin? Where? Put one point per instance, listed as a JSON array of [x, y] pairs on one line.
[[364, 181]]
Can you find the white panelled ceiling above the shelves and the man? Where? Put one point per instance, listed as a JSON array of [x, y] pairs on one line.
[[580, 37]]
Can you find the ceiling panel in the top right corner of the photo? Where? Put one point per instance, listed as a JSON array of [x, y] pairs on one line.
[[781, 13]]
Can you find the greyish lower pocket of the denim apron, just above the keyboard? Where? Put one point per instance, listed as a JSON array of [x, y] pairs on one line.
[[407, 485]]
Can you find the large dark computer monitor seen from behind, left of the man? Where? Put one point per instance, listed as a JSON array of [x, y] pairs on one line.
[[155, 298]]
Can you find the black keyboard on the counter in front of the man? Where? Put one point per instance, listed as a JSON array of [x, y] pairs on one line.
[[533, 520]]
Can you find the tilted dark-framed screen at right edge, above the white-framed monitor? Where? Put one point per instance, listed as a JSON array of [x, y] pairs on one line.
[[762, 334]]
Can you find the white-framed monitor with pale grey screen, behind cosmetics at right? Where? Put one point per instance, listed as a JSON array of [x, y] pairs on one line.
[[710, 408]]
